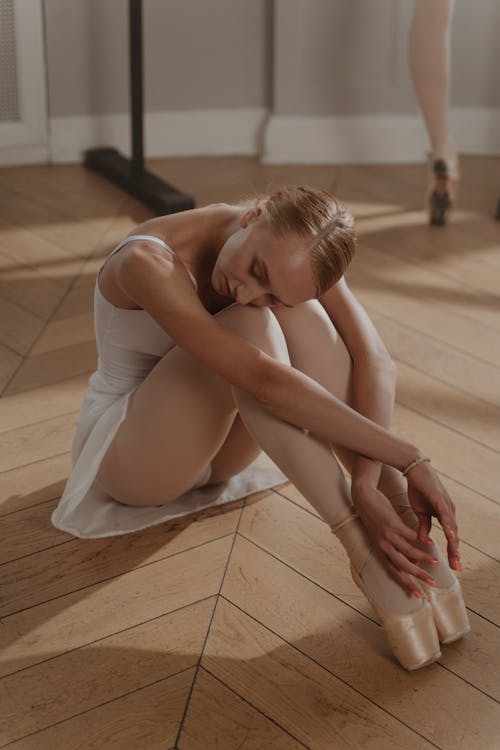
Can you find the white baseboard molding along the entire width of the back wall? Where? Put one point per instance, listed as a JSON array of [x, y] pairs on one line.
[[278, 139]]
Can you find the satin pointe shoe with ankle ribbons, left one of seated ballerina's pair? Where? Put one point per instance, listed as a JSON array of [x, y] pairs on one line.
[[412, 636]]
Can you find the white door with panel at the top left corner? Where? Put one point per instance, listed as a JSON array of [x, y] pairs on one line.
[[23, 99]]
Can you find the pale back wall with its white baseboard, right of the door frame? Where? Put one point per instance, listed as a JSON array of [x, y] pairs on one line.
[[332, 75]]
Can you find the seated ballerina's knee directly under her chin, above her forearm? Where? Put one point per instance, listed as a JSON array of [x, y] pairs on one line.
[[258, 326]]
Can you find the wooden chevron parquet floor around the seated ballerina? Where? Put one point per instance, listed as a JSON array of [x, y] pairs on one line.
[[239, 627]]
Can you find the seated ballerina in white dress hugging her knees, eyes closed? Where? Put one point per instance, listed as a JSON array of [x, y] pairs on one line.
[[218, 334]]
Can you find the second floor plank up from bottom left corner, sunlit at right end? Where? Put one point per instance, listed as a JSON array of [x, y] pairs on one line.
[[104, 670]]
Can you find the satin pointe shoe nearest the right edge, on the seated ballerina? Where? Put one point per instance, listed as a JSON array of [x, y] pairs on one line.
[[448, 607]]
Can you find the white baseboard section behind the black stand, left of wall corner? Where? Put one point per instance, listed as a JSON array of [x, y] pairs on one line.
[[190, 133]]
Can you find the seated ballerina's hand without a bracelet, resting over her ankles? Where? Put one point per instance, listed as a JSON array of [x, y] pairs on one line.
[[390, 535]]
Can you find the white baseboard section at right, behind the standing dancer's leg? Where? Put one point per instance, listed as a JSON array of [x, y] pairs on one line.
[[372, 139]]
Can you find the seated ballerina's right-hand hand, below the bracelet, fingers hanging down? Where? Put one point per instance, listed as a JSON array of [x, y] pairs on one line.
[[428, 497]]
